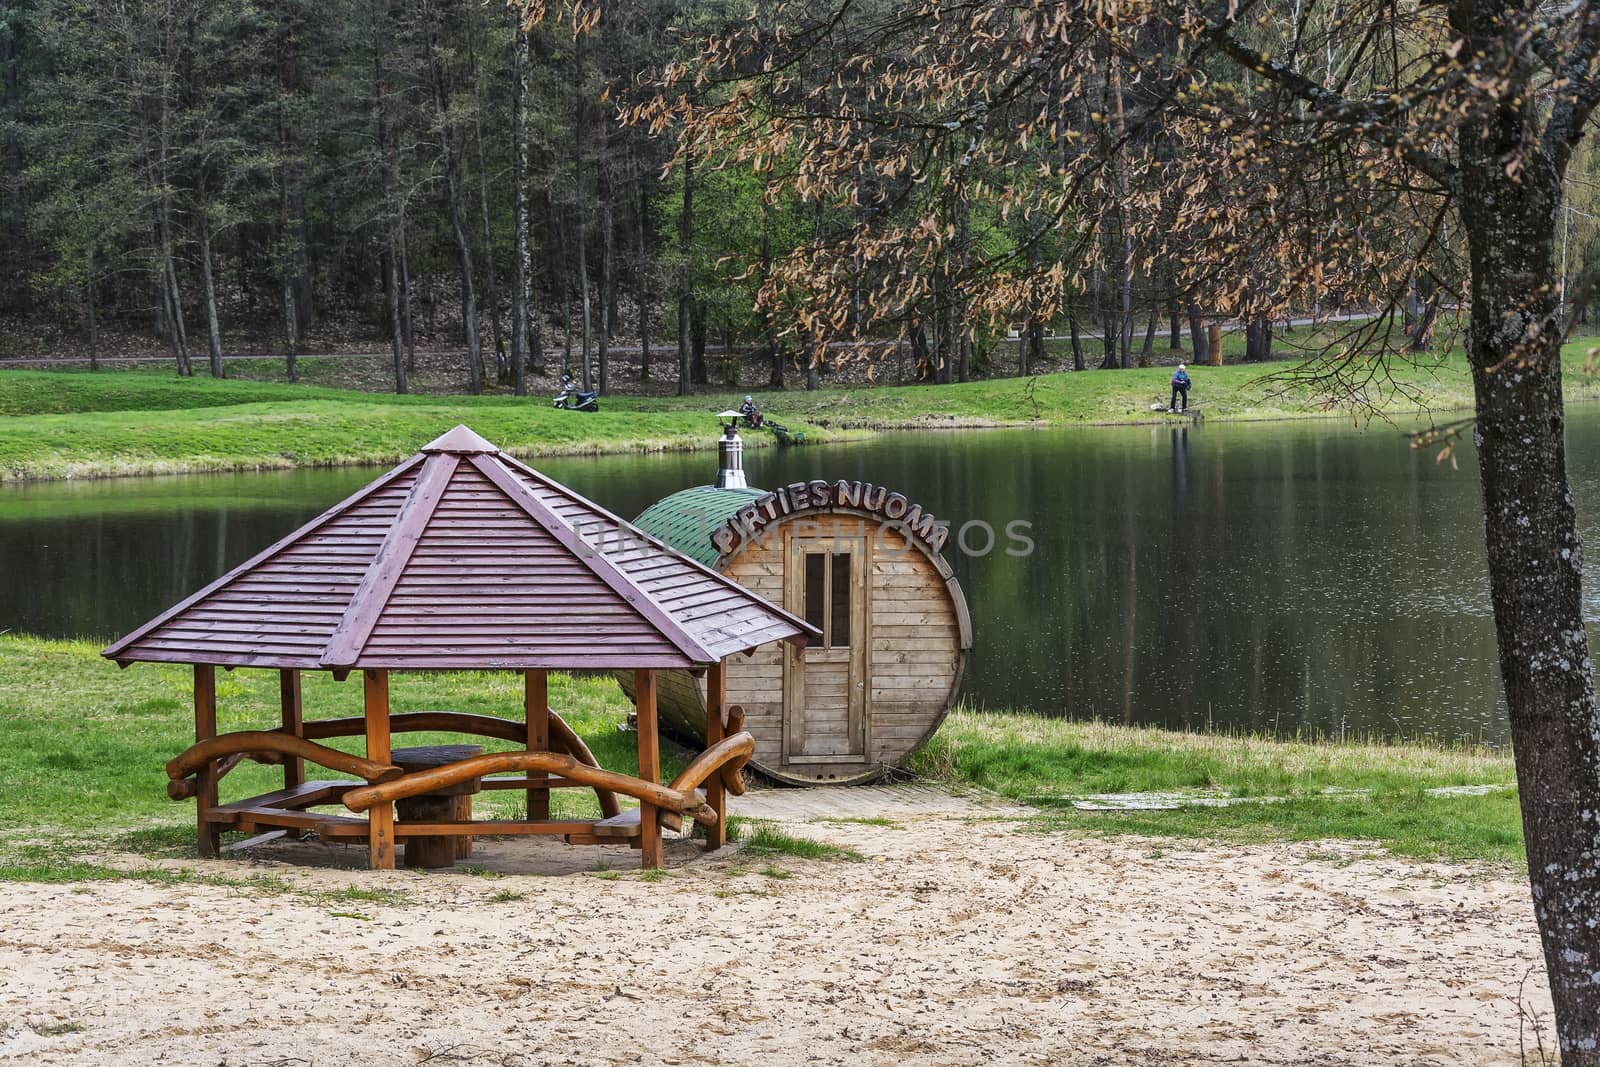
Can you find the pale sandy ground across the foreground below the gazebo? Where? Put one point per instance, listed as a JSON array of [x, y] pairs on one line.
[[962, 938]]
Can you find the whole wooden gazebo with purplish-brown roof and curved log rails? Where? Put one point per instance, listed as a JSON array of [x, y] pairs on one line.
[[462, 559]]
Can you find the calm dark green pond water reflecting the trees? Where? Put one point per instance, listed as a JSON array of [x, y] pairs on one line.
[[1289, 578]]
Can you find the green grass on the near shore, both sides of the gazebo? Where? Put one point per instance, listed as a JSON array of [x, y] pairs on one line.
[[87, 743]]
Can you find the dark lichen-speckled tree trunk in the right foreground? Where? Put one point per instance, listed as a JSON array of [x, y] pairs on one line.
[[1537, 559]]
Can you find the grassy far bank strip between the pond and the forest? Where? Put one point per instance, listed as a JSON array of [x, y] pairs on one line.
[[63, 425]]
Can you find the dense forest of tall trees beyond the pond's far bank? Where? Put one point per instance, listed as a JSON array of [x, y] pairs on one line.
[[551, 188]]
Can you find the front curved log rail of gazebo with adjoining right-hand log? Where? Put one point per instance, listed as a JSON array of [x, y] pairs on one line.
[[681, 797]]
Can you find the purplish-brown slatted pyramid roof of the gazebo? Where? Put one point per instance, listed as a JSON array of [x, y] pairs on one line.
[[465, 559]]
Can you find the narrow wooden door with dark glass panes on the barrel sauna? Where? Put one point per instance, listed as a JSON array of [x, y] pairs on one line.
[[826, 682]]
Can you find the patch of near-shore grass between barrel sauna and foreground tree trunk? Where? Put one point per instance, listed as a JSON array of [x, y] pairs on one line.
[[1298, 791]]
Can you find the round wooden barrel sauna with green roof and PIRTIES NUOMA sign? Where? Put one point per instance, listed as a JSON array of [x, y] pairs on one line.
[[863, 565]]
